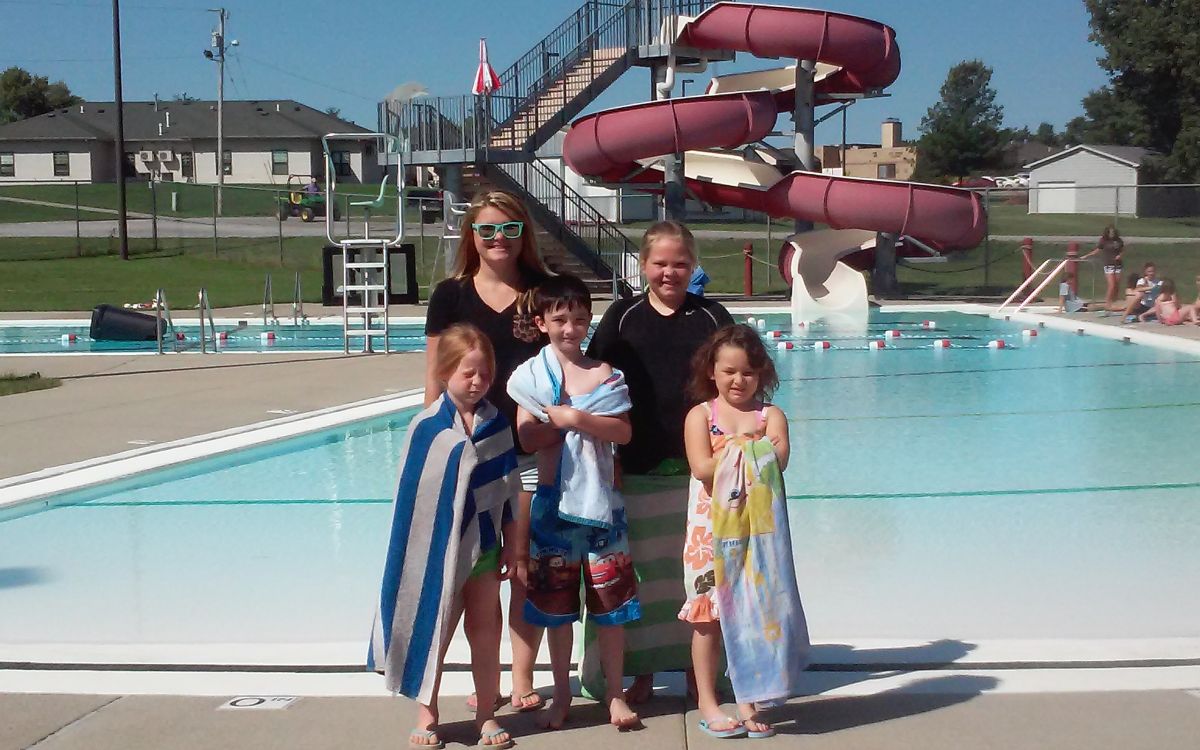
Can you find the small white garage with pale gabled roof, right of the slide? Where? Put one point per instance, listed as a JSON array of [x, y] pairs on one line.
[[1088, 179]]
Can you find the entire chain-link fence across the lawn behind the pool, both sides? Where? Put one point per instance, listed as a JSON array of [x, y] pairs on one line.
[[178, 238]]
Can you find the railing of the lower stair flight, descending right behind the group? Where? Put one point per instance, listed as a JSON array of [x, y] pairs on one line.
[[577, 224]]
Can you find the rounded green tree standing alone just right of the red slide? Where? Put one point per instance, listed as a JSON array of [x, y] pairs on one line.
[[963, 131]]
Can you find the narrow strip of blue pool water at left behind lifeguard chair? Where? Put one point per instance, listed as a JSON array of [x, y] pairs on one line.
[[73, 338]]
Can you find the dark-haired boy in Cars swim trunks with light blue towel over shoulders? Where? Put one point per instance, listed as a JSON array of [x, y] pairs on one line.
[[578, 529]]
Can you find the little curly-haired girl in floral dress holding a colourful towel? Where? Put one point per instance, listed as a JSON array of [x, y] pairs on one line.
[[739, 571]]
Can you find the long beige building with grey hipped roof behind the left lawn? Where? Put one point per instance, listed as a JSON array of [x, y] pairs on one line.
[[265, 142]]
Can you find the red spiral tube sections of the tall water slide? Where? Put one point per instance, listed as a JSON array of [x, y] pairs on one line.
[[609, 145]]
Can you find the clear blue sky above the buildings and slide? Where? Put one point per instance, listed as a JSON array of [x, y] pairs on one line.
[[1039, 50]]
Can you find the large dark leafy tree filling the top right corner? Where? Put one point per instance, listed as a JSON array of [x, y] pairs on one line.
[[1153, 57]]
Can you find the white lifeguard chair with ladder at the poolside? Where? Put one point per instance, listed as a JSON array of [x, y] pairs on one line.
[[367, 275]]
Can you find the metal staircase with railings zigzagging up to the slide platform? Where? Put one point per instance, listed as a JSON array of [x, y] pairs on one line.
[[539, 95]]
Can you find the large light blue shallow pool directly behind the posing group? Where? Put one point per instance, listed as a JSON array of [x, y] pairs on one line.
[[1040, 494]]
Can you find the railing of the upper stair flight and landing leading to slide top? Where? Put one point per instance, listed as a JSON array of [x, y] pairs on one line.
[[466, 124]]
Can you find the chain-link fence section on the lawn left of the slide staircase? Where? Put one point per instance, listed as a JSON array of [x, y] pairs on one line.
[[61, 236]]
